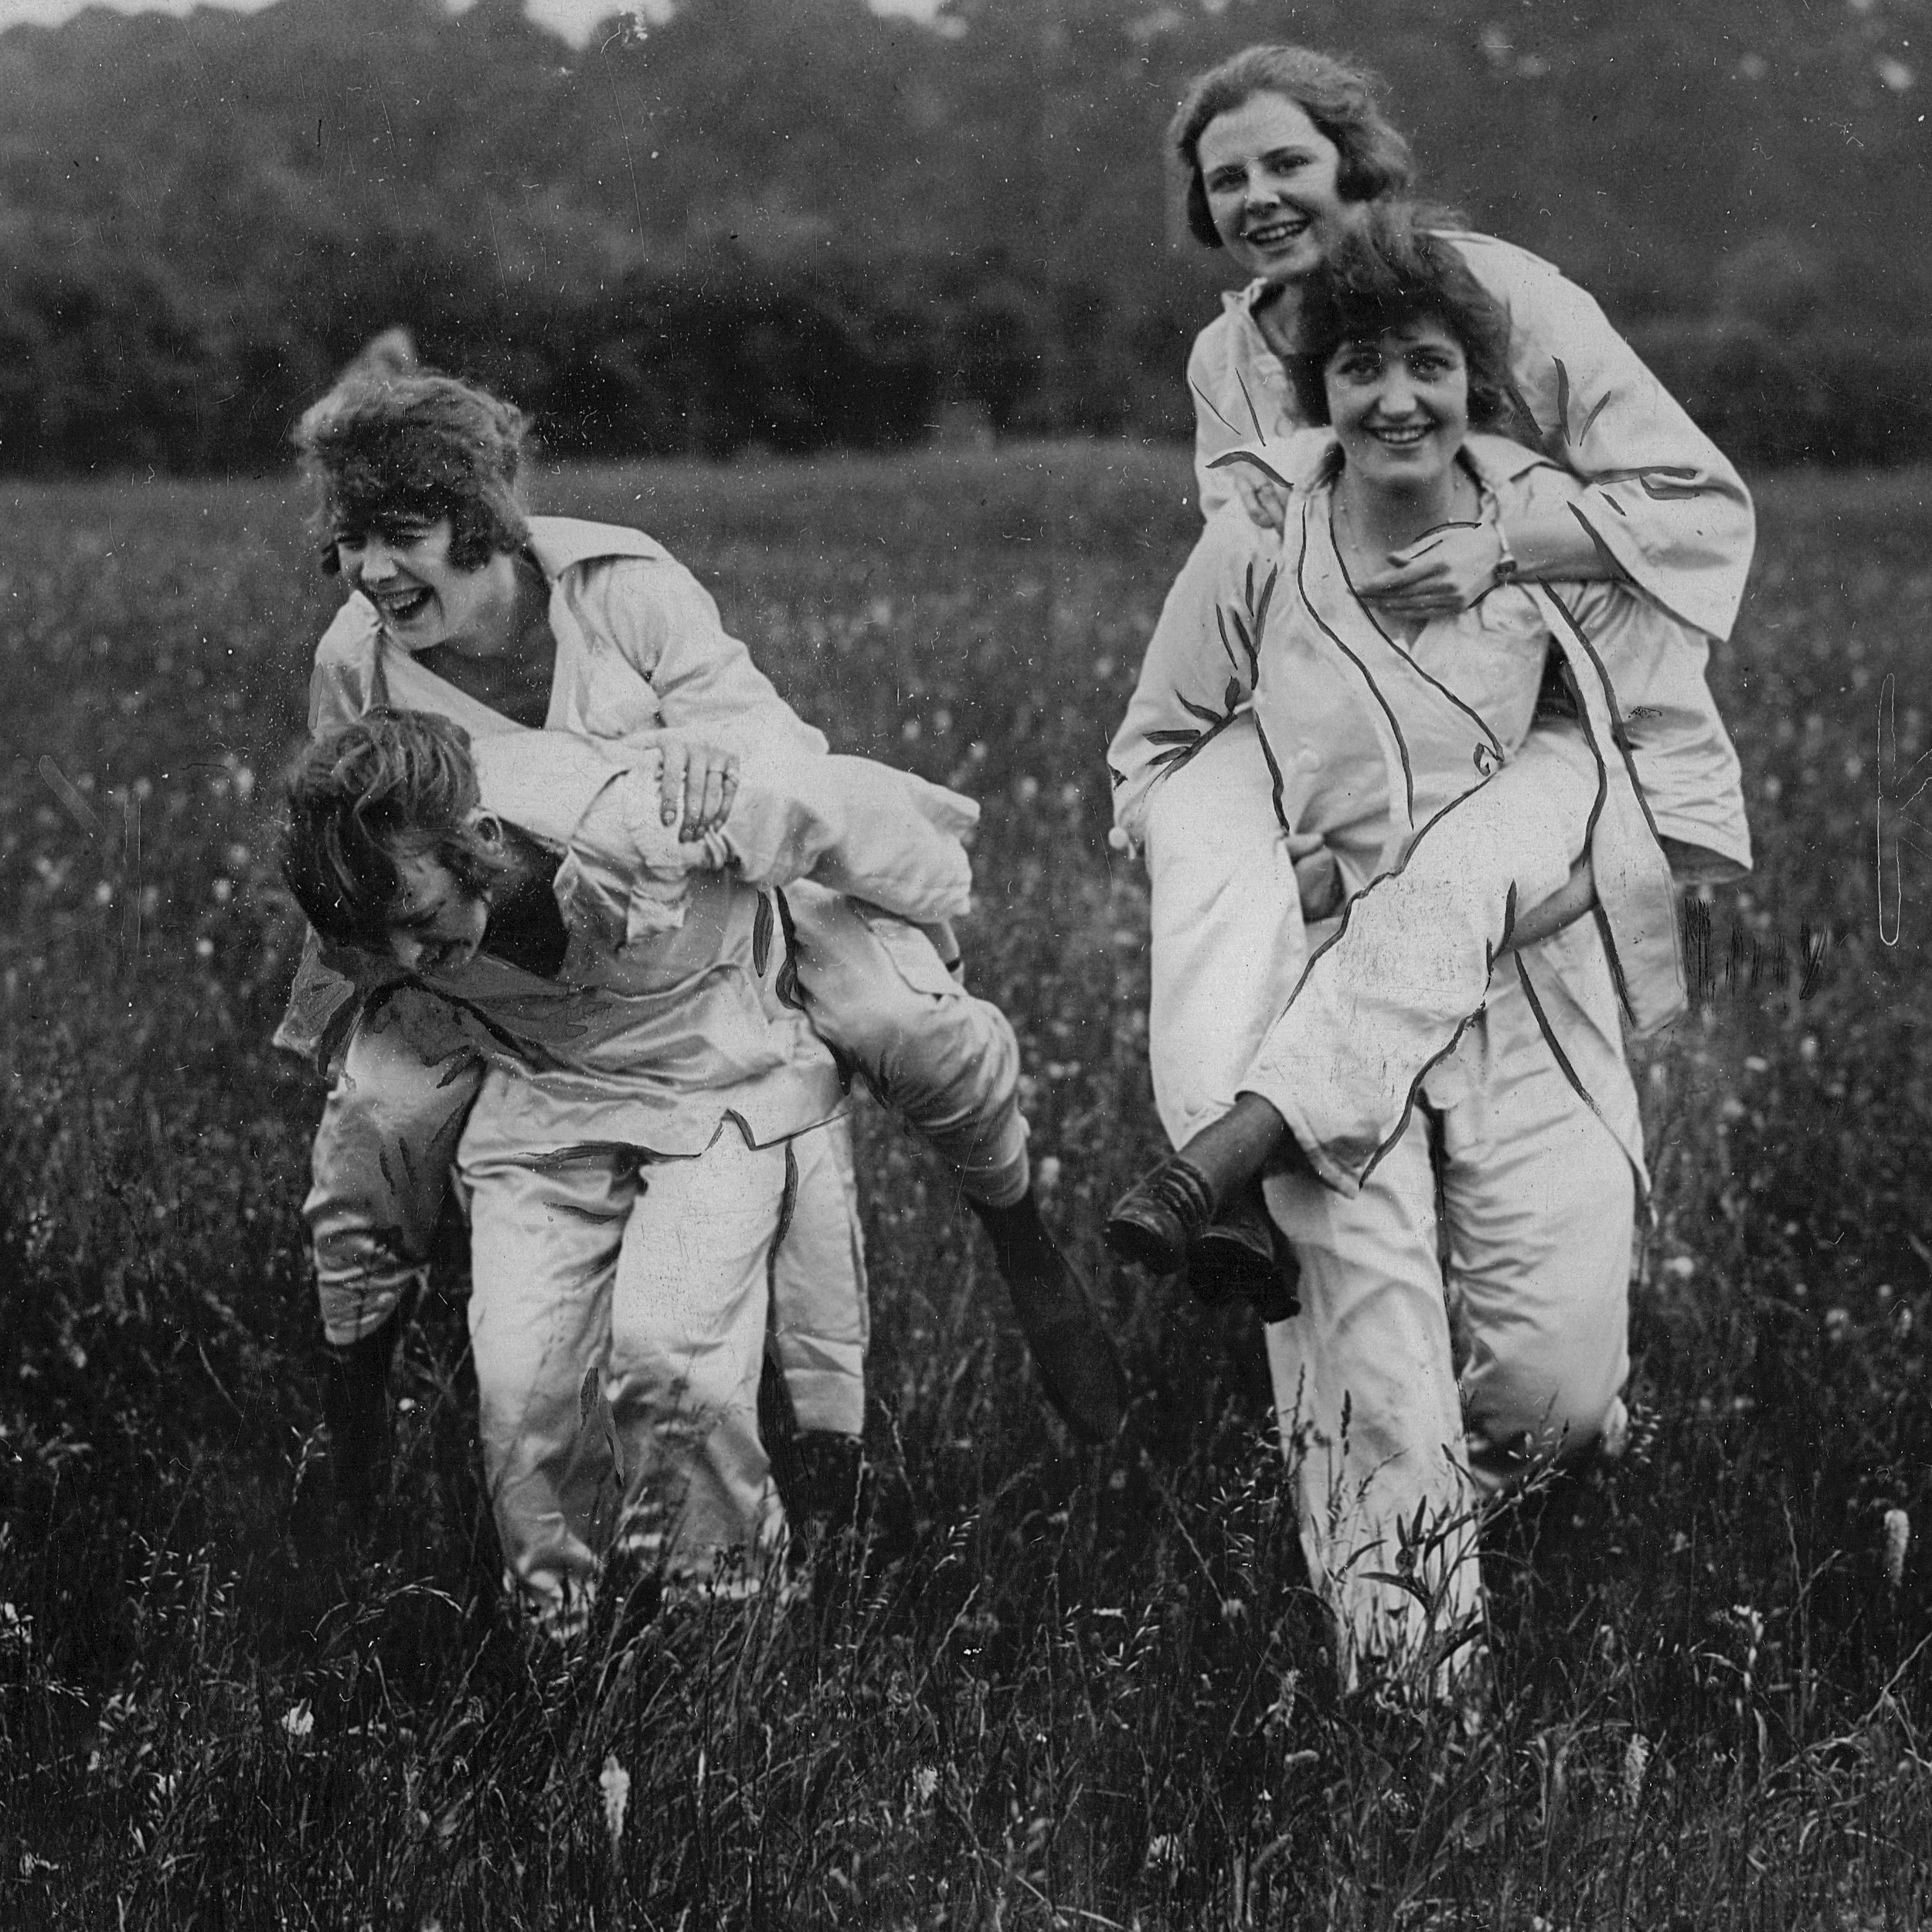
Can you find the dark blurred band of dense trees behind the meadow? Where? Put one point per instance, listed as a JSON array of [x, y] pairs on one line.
[[797, 223]]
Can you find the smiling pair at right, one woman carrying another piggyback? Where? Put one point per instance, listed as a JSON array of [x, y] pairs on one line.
[[1394, 700]]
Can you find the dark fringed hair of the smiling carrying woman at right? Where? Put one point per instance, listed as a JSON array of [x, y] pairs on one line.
[[1392, 273]]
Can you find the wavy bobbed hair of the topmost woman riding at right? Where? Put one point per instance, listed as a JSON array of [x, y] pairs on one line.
[[1338, 98]]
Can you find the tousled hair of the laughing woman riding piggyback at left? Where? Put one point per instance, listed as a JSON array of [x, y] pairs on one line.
[[391, 449]]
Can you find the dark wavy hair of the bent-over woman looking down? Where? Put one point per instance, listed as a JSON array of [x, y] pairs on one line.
[[395, 783]]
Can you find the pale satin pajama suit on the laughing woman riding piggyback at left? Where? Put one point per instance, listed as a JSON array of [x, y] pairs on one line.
[[639, 648]]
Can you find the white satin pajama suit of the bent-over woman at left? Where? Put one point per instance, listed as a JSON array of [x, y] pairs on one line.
[[639, 1151]]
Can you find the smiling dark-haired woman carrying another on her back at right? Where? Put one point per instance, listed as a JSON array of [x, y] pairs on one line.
[[1404, 749]]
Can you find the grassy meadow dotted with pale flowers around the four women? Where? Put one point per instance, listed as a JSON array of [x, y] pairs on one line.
[[1054, 1690]]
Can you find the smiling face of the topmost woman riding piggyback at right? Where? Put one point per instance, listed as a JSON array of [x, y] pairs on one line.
[[1270, 179]]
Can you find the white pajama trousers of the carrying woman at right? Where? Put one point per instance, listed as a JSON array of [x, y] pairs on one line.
[[1539, 1203]]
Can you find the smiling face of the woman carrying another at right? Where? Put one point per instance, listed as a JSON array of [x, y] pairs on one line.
[[1400, 405]]
